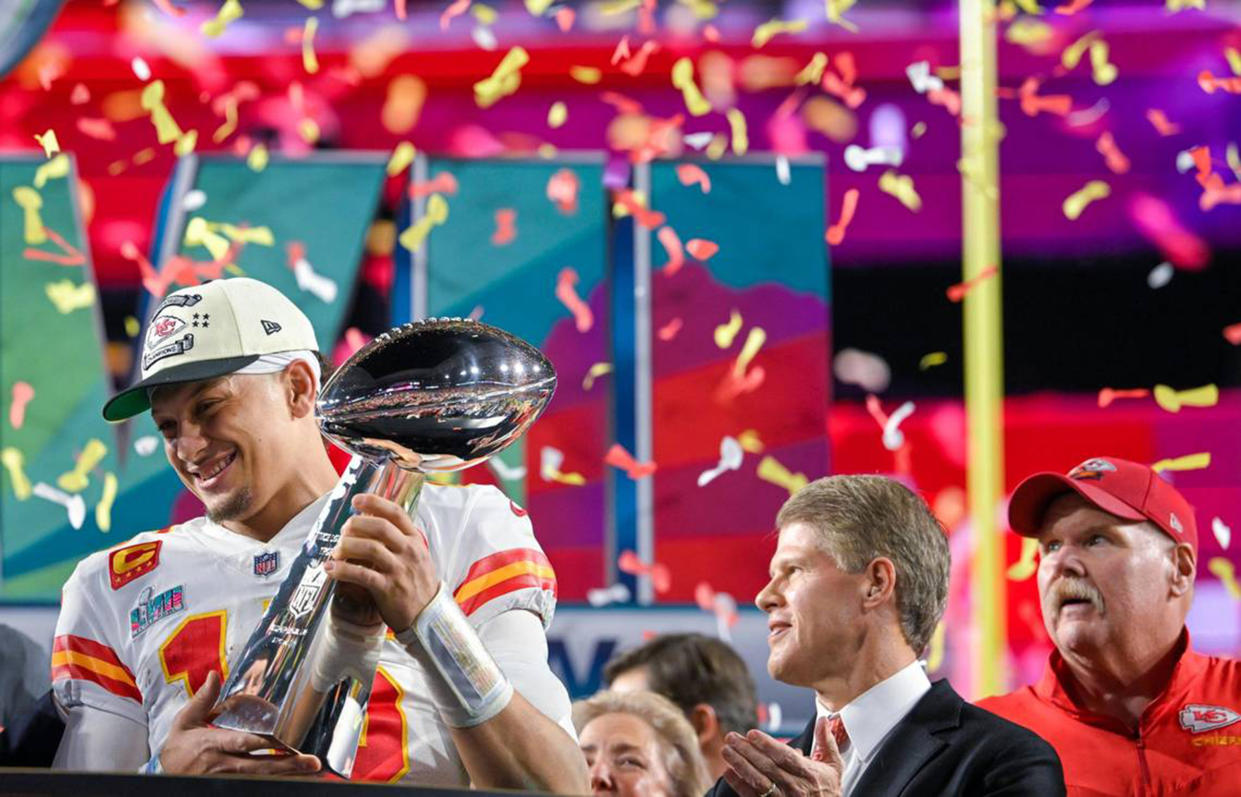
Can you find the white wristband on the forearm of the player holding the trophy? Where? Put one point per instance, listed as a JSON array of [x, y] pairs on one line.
[[468, 687]]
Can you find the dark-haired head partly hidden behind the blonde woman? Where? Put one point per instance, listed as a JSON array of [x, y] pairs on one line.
[[703, 676]]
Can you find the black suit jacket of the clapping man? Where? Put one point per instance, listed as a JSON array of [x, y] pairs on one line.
[[949, 747]]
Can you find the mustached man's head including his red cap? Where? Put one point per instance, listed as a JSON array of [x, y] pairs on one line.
[[1119, 551]]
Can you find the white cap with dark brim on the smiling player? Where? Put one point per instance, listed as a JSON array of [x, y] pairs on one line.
[[210, 331]]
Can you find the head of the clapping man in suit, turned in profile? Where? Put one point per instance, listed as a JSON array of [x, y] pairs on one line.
[[858, 584]]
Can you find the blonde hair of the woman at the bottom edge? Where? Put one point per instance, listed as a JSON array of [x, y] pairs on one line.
[[678, 743]]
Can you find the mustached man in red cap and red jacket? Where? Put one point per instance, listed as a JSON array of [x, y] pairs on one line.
[[1126, 702]]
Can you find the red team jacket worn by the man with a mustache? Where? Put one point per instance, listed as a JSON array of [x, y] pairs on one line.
[[1188, 743]]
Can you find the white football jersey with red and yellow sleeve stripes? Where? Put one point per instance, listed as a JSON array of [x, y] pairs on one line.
[[143, 624]]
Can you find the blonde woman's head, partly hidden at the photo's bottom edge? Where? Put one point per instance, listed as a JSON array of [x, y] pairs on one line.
[[638, 744]]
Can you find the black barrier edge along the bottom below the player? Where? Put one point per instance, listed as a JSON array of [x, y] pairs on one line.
[[45, 784]]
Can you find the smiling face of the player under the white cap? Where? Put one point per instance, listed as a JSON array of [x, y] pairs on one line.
[[223, 439]]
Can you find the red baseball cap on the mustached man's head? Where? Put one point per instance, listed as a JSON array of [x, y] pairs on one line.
[[1126, 490]]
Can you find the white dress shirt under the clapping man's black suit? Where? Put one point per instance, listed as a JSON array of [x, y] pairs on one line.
[[873, 716]]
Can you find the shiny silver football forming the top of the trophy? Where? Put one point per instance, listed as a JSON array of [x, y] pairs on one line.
[[441, 394]]
